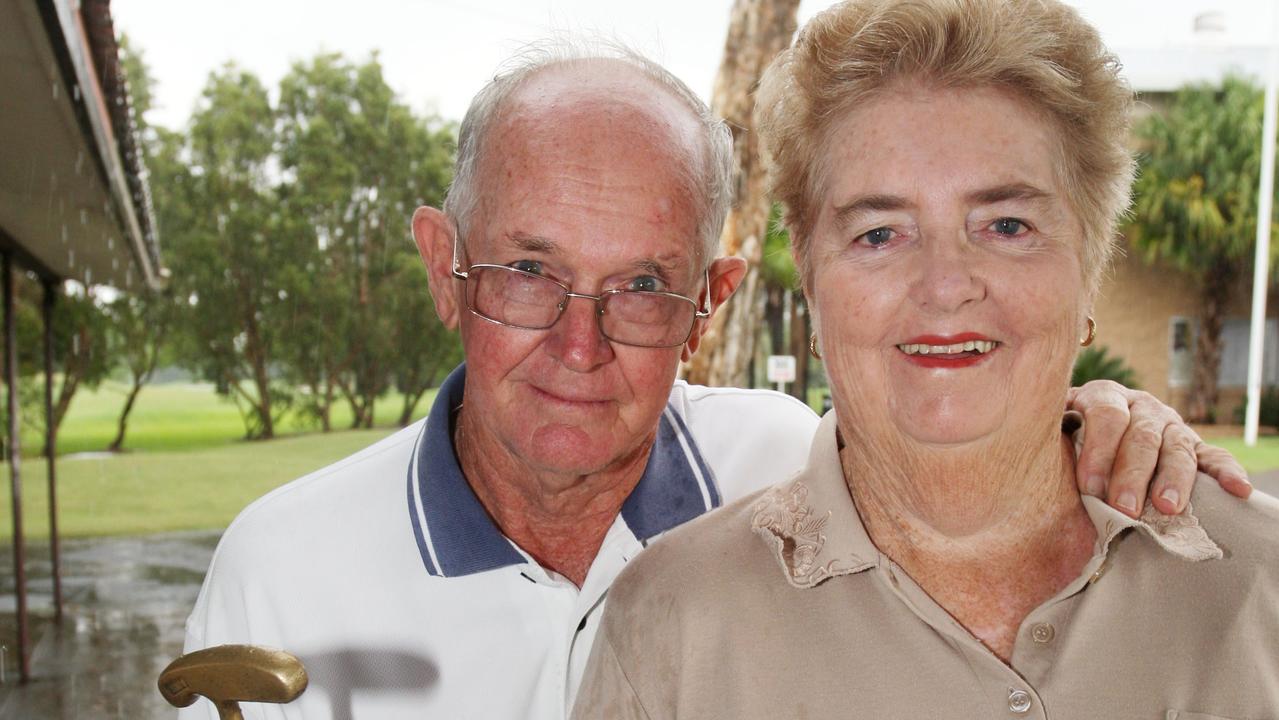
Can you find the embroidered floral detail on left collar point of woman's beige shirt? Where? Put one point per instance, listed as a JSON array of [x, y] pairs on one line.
[[783, 517]]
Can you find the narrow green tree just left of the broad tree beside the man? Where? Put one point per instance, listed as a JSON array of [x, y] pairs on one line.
[[224, 235]]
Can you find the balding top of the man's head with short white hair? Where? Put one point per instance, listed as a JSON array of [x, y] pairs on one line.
[[593, 104]]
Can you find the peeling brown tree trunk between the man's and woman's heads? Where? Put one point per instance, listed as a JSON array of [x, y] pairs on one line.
[[759, 30]]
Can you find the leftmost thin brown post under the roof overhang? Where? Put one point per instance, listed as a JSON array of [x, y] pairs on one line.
[[11, 366]]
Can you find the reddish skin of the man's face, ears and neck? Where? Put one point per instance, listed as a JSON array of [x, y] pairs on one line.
[[584, 178]]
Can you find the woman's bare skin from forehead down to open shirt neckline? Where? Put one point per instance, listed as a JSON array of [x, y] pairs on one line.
[[961, 475]]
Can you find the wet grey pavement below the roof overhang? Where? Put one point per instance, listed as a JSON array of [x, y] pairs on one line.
[[126, 600]]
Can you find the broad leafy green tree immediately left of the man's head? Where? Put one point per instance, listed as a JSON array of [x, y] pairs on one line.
[[357, 163]]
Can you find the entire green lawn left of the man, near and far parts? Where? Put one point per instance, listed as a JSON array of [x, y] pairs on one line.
[[186, 466]]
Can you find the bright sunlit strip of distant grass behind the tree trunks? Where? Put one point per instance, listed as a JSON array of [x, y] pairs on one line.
[[180, 416]]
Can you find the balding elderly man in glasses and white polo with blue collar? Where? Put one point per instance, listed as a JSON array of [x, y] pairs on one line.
[[459, 568]]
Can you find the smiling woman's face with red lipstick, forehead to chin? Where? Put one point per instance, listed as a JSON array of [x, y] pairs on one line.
[[946, 268]]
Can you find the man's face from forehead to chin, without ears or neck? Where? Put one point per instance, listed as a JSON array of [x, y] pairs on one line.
[[583, 184]]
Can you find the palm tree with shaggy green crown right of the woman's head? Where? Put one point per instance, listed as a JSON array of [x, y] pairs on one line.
[[1197, 208]]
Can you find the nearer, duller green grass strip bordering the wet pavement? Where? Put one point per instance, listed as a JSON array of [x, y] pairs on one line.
[[169, 490]]
